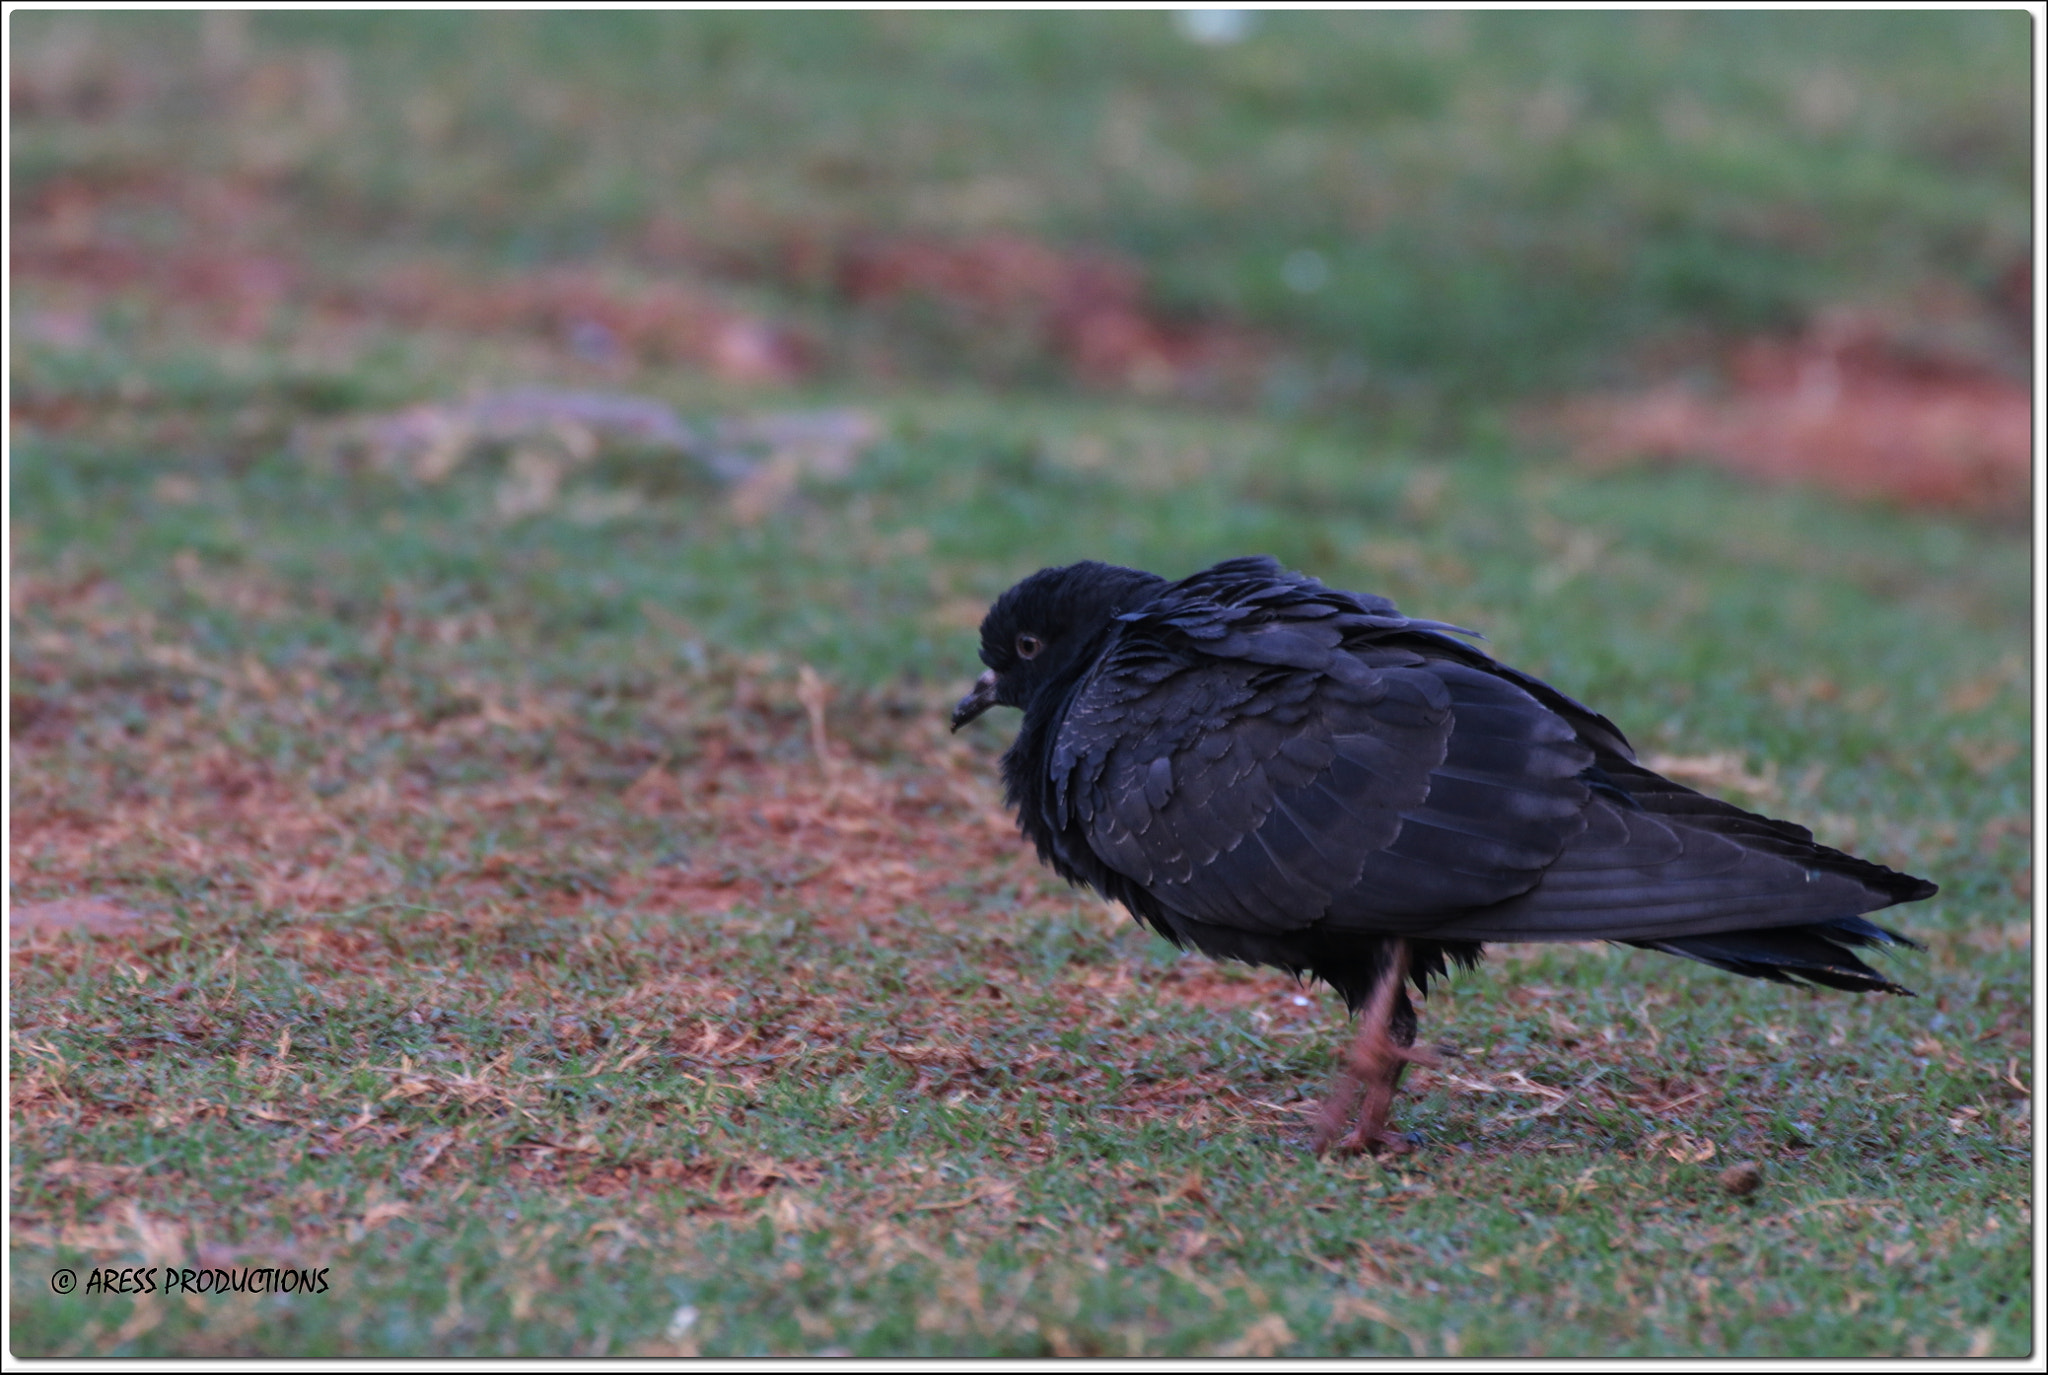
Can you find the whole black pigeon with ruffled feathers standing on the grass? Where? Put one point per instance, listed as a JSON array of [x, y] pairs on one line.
[[1291, 776]]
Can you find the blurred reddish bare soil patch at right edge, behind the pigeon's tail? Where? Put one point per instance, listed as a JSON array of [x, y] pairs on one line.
[[1850, 407]]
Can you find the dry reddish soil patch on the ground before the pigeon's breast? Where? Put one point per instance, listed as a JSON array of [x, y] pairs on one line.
[[845, 843]]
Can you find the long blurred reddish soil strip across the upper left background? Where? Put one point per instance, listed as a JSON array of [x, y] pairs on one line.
[[1000, 302]]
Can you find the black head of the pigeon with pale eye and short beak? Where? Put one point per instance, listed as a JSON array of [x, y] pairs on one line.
[[1048, 632]]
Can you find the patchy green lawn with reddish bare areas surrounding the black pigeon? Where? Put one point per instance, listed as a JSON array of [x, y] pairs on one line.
[[521, 868]]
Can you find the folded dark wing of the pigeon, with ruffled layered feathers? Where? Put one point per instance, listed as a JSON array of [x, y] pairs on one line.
[[1273, 755]]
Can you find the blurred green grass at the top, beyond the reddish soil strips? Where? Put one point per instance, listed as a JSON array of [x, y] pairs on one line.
[[1502, 202]]
